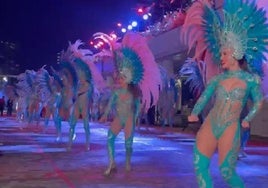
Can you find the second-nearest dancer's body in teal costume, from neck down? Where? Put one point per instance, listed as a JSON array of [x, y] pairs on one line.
[[126, 112]]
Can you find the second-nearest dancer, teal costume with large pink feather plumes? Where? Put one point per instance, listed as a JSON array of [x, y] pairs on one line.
[[138, 81]]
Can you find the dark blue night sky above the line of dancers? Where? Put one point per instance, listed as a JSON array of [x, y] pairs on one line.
[[42, 28]]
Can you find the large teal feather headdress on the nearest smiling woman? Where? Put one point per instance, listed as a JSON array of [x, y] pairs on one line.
[[243, 28]]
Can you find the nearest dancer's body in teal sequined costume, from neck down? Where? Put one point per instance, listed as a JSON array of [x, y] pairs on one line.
[[224, 118]]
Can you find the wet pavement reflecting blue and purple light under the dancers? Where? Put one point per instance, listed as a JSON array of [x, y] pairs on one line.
[[31, 158]]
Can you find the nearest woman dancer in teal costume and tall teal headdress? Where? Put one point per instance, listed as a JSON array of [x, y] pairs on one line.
[[238, 37]]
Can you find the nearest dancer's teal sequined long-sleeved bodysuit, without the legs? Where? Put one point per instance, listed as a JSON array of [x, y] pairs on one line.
[[229, 102]]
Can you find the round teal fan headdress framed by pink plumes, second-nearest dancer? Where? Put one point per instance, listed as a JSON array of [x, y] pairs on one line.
[[129, 64]]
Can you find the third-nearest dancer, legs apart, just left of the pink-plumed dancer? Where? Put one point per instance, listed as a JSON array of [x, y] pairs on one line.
[[89, 81]]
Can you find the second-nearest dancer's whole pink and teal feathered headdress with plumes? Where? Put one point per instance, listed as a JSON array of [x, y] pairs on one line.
[[135, 61]]
